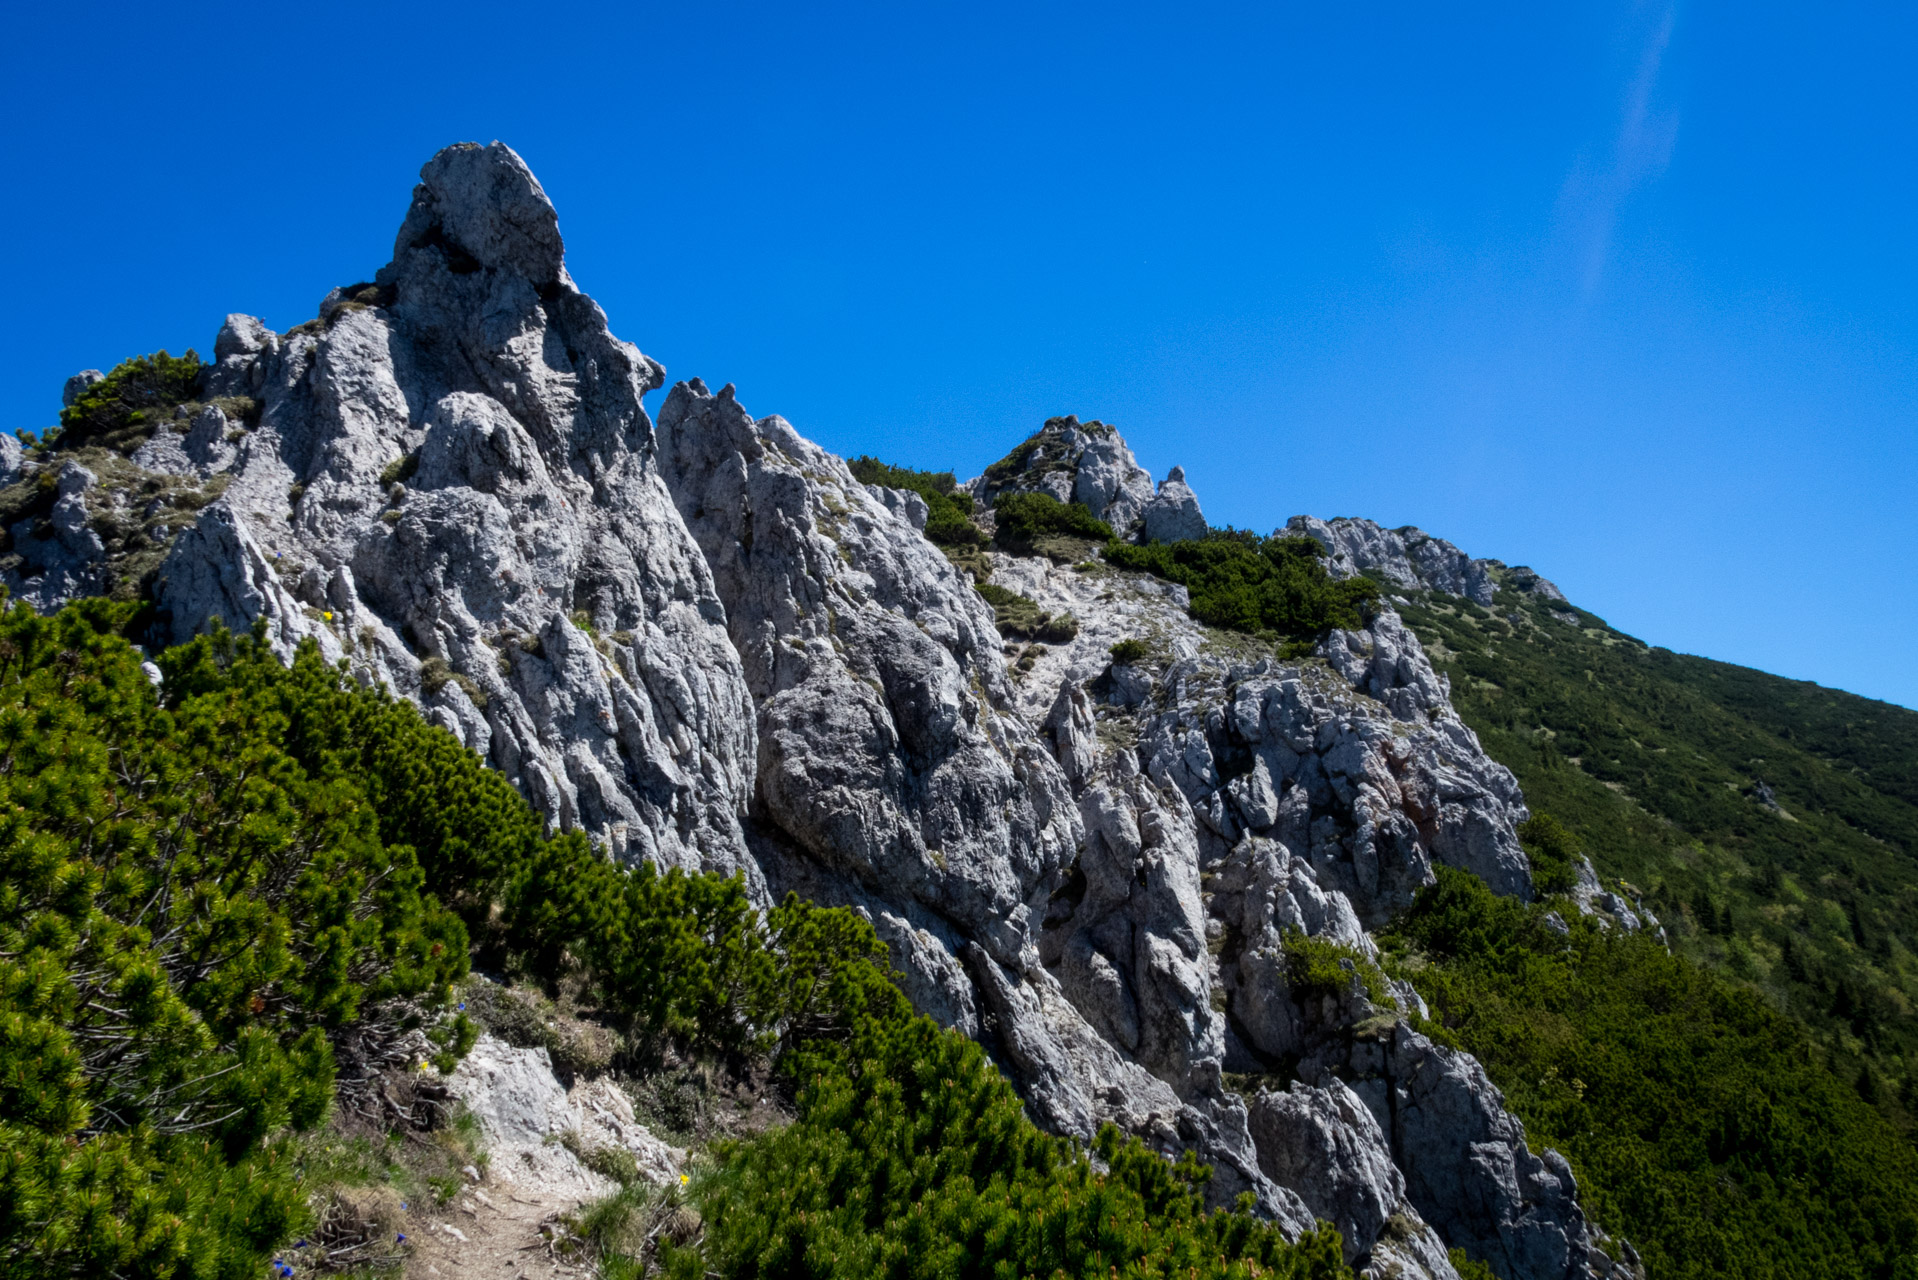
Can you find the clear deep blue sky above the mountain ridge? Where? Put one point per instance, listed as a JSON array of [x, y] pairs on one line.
[[1618, 291]]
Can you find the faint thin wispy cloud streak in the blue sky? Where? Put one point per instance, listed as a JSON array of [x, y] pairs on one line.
[[1641, 149]]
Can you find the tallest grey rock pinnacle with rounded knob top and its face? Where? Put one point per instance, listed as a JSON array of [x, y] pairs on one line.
[[452, 469]]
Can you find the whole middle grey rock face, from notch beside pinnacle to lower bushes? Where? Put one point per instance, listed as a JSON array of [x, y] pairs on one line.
[[895, 776]]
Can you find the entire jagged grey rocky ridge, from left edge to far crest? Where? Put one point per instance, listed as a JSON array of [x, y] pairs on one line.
[[707, 646]]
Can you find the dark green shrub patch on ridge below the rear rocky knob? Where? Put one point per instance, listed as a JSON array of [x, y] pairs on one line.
[[1253, 584]]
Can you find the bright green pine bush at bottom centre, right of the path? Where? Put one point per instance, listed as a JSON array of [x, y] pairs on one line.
[[914, 1158]]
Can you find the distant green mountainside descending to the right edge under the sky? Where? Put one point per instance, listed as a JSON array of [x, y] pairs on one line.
[[1652, 759]]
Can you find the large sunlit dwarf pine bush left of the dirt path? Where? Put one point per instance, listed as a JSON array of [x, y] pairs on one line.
[[189, 924]]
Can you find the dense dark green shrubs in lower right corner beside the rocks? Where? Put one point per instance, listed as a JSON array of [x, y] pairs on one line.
[[1700, 1122]]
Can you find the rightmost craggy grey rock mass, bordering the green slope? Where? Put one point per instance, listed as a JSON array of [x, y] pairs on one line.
[[1321, 797]]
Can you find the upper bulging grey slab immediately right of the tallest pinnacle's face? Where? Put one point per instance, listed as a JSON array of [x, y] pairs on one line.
[[874, 665]]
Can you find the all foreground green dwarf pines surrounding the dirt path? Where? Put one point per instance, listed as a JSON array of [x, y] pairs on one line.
[[252, 891]]
